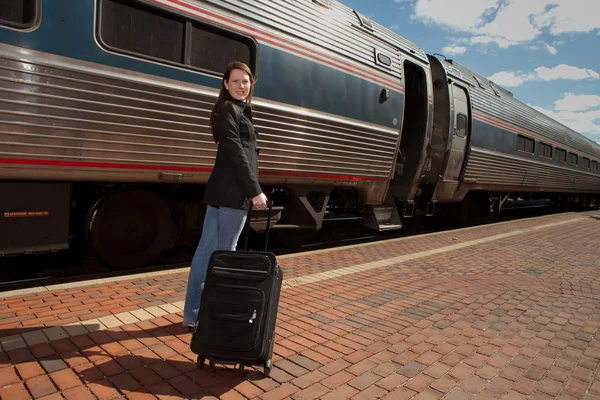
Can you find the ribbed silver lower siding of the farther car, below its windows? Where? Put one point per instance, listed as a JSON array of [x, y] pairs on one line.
[[495, 169]]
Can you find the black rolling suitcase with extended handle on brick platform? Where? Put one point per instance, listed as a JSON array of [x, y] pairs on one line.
[[238, 310]]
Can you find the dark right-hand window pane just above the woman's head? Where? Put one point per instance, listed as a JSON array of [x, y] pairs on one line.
[[214, 52]]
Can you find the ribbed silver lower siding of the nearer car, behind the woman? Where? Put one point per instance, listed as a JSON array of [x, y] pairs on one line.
[[56, 113]]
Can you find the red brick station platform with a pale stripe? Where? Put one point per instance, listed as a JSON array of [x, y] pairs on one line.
[[507, 311]]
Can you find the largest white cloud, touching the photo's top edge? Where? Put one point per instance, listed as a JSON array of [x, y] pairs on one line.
[[510, 22]]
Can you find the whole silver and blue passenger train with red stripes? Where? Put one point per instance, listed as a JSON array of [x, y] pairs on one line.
[[104, 138]]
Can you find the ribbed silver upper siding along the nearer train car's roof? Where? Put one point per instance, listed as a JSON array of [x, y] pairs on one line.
[[327, 28]]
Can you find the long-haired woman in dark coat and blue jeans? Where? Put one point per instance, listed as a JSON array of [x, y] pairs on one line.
[[233, 182]]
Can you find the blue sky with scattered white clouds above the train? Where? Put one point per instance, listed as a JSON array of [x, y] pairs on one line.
[[547, 52]]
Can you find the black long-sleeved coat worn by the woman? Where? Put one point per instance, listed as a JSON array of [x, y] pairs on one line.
[[234, 178]]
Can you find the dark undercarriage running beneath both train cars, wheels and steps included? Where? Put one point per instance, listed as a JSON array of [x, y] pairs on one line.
[[130, 226]]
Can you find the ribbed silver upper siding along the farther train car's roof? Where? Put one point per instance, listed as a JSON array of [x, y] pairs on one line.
[[511, 110]]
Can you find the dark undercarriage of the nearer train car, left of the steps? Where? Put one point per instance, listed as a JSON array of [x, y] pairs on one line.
[[129, 226]]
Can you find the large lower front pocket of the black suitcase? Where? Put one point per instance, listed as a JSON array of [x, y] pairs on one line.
[[234, 316]]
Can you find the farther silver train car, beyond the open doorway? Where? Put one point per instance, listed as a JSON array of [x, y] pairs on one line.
[[488, 144]]
